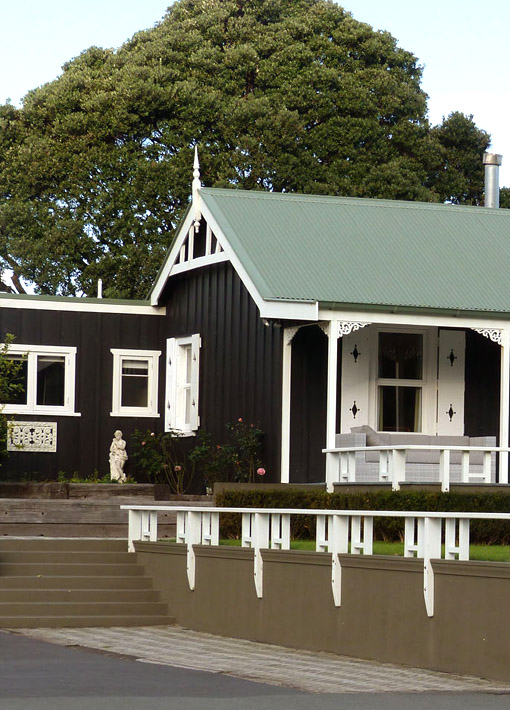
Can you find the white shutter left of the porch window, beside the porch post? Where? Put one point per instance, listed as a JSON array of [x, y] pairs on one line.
[[355, 379]]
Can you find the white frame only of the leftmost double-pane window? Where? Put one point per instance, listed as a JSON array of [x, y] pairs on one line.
[[31, 352]]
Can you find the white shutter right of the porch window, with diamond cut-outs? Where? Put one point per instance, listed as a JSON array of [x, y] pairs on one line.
[[450, 385]]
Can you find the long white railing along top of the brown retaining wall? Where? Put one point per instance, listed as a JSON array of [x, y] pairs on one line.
[[337, 532]]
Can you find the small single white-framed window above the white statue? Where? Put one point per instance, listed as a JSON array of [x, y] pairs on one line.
[[135, 383]]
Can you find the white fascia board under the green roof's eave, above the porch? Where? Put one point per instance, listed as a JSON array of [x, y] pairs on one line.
[[414, 319]]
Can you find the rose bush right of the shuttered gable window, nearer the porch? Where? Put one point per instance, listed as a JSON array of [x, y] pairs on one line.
[[237, 458]]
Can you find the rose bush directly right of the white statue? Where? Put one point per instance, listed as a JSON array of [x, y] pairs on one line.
[[161, 459]]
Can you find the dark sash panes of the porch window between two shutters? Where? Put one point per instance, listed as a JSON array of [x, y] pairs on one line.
[[400, 382]]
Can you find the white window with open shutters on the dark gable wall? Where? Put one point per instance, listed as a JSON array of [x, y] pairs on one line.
[[182, 384]]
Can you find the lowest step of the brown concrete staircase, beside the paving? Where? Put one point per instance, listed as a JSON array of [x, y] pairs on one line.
[[34, 622]]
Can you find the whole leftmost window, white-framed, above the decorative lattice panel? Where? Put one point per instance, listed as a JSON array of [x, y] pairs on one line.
[[47, 377]]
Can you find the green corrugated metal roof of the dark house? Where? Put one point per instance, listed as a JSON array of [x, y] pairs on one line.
[[347, 250]]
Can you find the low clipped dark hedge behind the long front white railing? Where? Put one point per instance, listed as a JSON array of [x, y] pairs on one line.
[[490, 532]]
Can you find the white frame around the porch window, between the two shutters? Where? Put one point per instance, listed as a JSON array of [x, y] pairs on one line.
[[427, 384]]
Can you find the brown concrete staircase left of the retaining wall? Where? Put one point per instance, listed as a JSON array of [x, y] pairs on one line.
[[47, 582]]
